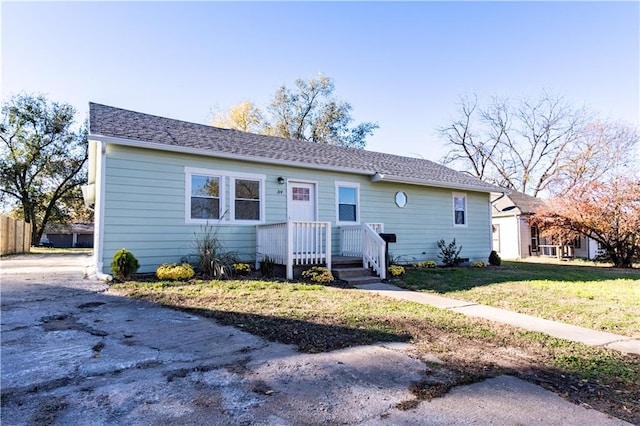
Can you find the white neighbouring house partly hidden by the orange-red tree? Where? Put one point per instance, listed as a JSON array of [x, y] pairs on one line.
[[515, 238]]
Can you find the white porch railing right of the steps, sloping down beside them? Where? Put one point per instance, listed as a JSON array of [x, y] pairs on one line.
[[363, 240]]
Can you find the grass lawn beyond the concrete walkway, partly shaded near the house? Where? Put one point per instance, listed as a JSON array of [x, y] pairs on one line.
[[605, 299]]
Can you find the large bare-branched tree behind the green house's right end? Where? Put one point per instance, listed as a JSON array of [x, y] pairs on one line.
[[535, 145]]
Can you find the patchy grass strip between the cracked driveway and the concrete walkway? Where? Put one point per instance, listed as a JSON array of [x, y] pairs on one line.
[[323, 318]]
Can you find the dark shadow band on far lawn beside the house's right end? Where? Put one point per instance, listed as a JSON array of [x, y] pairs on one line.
[[444, 280]]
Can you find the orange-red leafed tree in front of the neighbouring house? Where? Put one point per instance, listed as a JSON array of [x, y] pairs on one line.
[[608, 212]]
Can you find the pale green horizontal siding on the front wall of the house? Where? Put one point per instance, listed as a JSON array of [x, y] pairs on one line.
[[145, 209]]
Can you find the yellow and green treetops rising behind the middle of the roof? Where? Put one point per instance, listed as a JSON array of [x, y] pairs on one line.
[[308, 112]]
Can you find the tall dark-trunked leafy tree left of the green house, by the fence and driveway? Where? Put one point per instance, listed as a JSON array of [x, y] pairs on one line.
[[42, 161]]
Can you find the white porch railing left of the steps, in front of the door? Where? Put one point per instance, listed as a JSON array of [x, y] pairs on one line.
[[294, 243]]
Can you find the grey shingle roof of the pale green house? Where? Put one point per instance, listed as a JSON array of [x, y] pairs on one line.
[[129, 126]]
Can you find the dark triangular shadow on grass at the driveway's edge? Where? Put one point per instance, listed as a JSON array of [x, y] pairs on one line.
[[308, 336]]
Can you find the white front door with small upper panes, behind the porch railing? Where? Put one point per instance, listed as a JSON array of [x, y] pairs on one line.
[[301, 206]]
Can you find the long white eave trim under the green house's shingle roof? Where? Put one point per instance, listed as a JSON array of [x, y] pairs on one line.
[[373, 174]]
